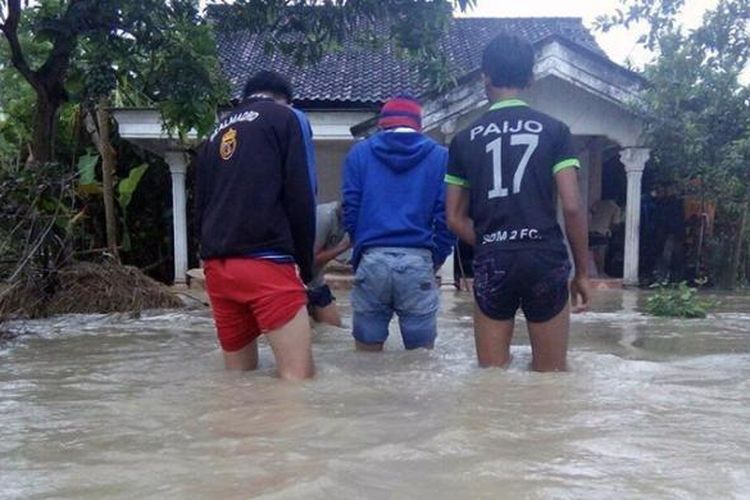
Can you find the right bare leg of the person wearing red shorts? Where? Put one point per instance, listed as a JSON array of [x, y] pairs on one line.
[[292, 348]]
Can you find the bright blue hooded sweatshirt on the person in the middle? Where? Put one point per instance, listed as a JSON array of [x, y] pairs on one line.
[[394, 194]]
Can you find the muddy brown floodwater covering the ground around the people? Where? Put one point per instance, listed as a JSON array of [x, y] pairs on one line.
[[117, 407]]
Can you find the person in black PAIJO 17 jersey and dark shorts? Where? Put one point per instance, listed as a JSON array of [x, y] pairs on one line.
[[502, 175]]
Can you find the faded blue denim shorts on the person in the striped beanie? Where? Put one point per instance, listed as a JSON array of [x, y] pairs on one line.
[[400, 280]]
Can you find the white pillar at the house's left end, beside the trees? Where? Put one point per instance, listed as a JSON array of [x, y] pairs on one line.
[[178, 168]]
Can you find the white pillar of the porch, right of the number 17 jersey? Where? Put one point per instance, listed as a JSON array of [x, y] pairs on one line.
[[634, 160]]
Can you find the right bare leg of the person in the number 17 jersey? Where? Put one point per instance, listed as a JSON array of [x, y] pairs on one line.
[[549, 343]]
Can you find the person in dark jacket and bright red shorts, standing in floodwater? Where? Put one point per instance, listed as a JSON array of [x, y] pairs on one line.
[[255, 207]]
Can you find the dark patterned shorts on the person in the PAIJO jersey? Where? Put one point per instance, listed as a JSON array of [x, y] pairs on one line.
[[535, 280]]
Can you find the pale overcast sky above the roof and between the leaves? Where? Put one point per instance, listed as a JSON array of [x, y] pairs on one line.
[[620, 44]]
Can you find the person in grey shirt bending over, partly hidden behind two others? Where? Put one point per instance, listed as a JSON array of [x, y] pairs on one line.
[[331, 241]]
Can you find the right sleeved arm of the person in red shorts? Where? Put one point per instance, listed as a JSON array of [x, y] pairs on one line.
[[299, 200]]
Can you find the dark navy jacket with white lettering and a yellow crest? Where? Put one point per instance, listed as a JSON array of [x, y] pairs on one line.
[[254, 192]]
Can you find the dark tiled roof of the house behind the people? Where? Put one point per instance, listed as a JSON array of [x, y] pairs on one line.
[[369, 76]]
